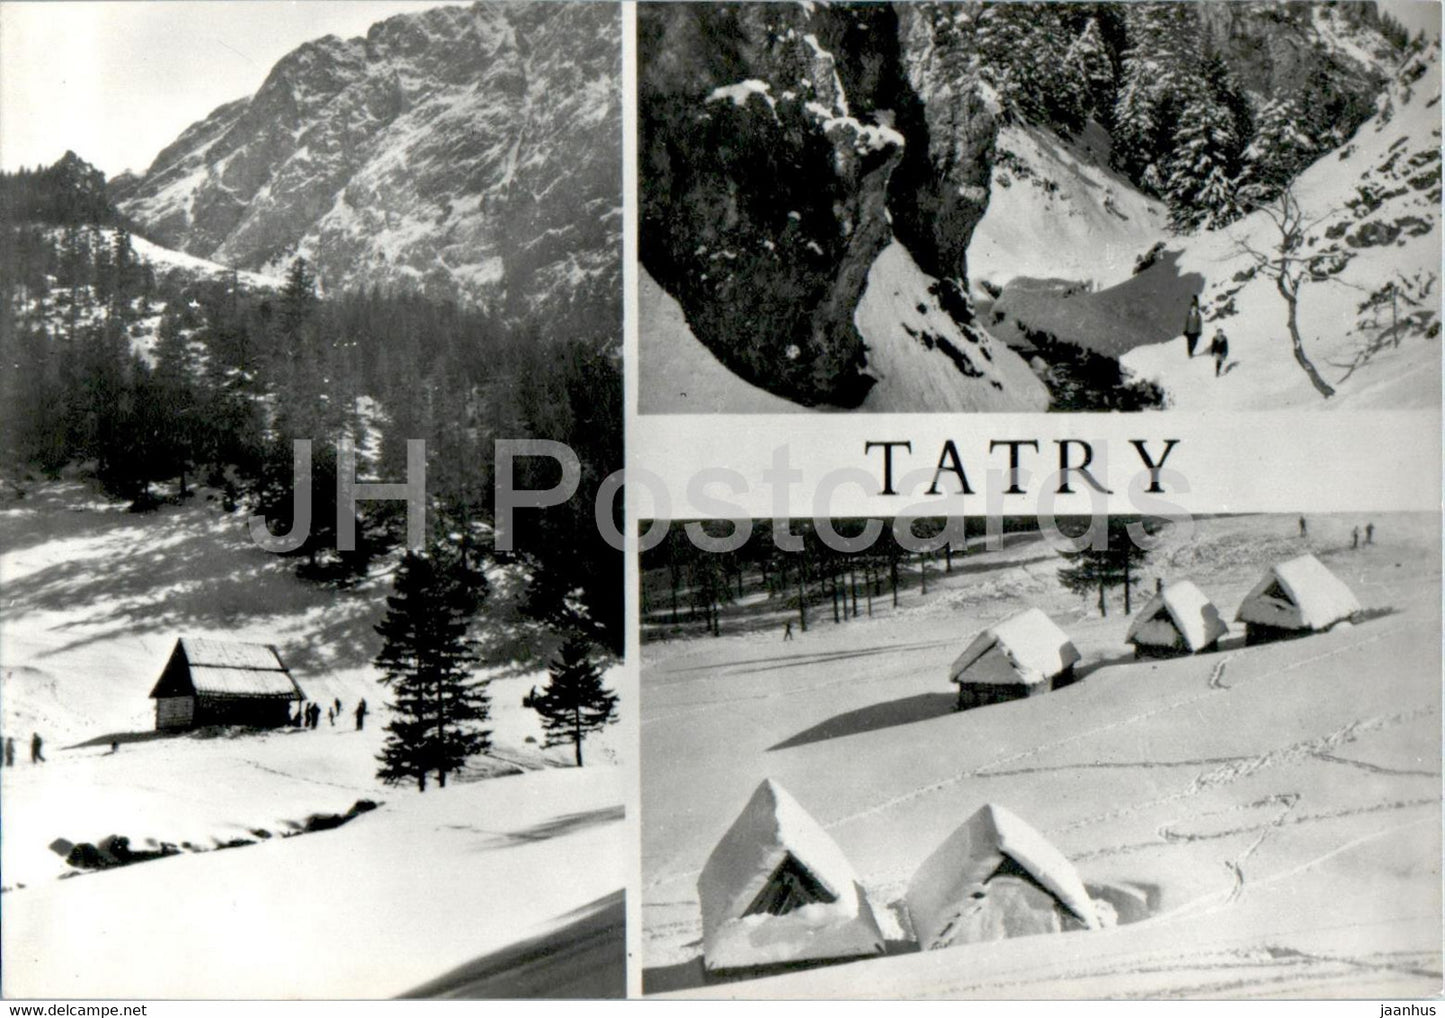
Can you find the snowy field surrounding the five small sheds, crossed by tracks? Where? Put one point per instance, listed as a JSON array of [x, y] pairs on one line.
[[1267, 821]]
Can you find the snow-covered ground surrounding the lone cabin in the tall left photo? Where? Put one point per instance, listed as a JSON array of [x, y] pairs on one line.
[[395, 900]]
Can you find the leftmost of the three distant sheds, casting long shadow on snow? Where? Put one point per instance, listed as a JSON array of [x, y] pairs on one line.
[[1021, 657]]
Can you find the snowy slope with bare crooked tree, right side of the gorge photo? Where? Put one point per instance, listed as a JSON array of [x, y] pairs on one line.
[[1378, 200]]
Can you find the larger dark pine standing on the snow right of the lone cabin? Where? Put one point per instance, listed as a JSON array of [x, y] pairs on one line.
[[427, 657]]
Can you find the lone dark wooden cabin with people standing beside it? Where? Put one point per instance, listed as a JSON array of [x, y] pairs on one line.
[[212, 682]]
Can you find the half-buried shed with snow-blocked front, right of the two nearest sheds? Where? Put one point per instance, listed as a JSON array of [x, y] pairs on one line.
[[993, 878]]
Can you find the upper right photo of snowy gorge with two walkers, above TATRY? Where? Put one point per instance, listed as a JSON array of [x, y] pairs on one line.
[[1021, 208]]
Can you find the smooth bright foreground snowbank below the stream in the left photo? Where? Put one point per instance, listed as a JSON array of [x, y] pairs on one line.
[[379, 907]]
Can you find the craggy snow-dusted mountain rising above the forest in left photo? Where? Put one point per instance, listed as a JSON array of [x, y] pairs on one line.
[[463, 153]]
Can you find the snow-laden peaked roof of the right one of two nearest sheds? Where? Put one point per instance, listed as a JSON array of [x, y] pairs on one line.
[[950, 881]]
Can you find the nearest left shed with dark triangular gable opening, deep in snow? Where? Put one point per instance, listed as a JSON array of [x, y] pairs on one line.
[[780, 891]]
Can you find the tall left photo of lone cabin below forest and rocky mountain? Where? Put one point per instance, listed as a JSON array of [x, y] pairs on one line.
[[303, 698]]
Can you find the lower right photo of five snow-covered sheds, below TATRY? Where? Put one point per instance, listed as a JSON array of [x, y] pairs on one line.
[[1067, 760]]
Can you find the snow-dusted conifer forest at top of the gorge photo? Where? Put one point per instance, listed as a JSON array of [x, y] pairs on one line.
[[1181, 121]]
